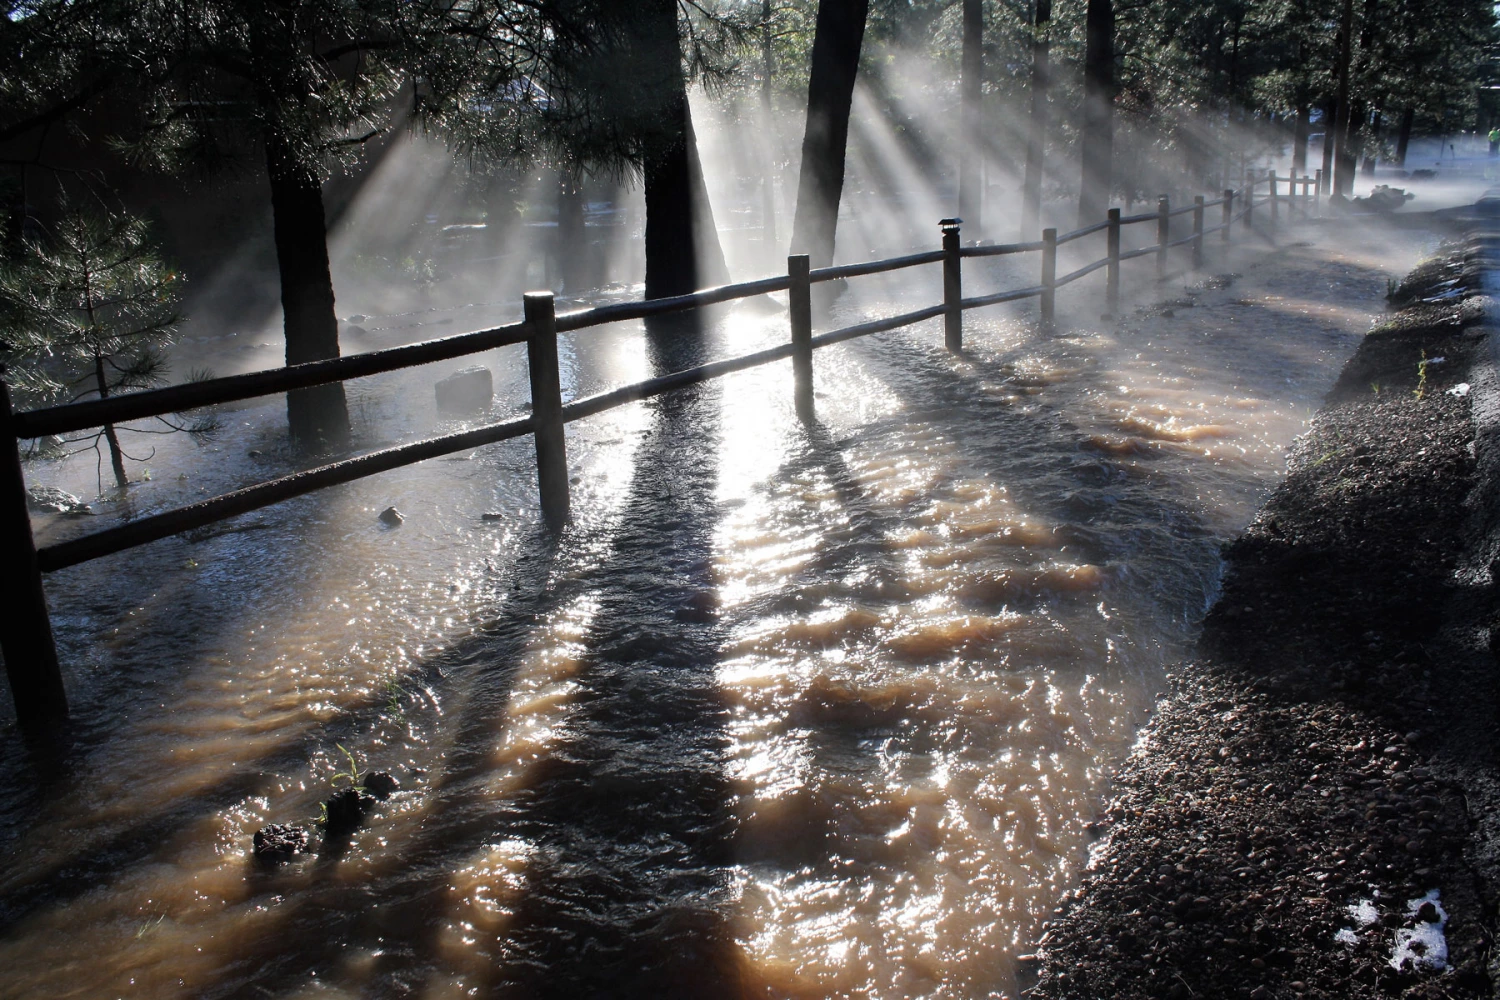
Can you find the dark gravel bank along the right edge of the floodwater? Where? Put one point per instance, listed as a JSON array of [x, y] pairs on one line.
[[1315, 810]]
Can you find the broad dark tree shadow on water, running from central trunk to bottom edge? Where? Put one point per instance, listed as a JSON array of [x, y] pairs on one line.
[[631, 819]]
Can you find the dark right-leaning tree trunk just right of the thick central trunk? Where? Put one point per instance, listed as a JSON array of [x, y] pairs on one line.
[[830, 95]]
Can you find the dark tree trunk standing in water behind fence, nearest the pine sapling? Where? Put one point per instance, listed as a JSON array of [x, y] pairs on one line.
[[319, 416]]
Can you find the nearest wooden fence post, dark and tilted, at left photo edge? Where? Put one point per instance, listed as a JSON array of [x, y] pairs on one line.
[[26, 638]]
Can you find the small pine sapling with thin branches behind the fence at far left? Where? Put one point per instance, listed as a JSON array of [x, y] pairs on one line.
[[89, 313]]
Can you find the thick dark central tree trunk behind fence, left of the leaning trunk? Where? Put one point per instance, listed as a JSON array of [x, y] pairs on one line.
[[683, 251]]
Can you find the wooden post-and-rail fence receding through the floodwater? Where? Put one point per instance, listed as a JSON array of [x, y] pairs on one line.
[[26, 639]]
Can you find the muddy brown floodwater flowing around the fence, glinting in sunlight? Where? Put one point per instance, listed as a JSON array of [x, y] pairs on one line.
[[790, 711]]
